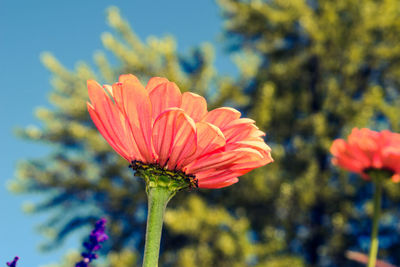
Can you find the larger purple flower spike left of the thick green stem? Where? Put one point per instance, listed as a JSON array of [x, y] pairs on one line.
[[96, 237]]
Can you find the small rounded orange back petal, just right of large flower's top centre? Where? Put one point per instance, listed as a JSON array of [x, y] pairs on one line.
[[194, 105]]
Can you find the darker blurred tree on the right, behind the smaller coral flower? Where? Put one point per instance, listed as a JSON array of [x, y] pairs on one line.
[[323, 68]]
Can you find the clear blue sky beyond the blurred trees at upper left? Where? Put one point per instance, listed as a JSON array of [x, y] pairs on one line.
[[71, 31]]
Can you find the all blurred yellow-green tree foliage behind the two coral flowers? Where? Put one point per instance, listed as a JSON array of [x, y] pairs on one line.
[[309, 72]]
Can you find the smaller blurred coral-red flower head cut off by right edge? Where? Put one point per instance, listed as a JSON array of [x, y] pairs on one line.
[[368, 150]]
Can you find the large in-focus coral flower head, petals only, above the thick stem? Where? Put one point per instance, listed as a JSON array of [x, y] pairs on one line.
[[158, 125]]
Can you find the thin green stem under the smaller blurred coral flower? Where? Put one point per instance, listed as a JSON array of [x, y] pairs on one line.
[[375, 223]]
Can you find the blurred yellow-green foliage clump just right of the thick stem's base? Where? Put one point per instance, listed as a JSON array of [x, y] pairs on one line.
[[217, 238]]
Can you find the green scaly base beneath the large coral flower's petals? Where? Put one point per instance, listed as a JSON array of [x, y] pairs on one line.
[[157, 176]]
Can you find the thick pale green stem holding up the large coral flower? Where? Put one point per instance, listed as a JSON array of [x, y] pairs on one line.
[[158, 198]]
